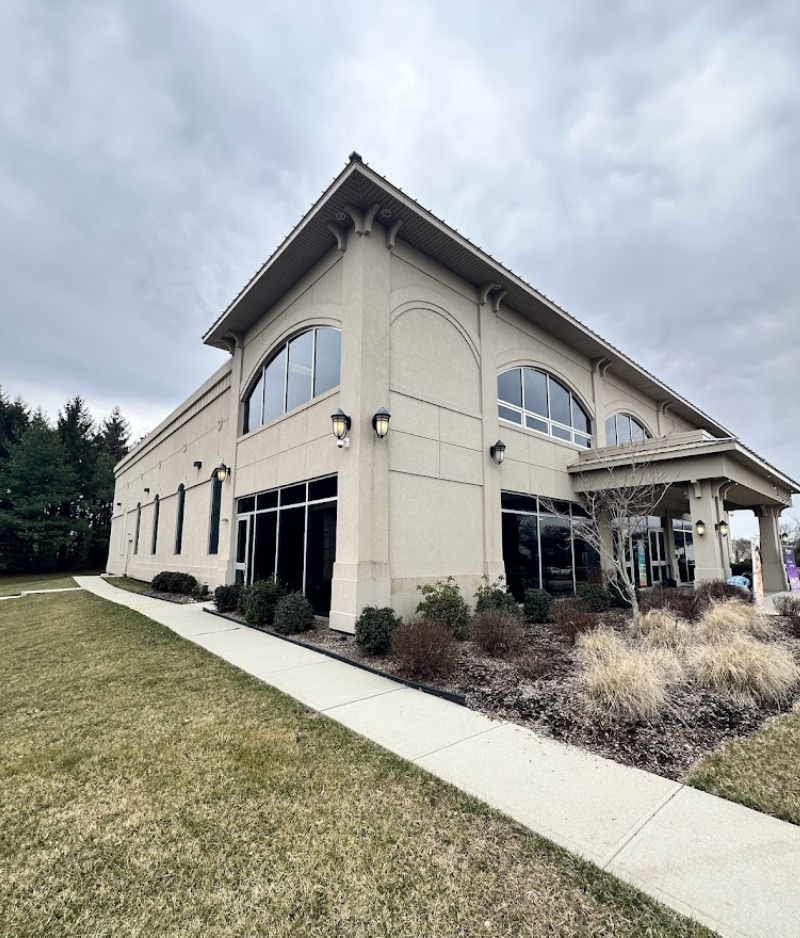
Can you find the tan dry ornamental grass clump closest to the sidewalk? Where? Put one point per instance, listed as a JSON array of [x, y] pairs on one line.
[[629, 683]]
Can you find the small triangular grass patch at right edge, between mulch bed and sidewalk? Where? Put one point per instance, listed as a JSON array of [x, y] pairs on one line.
[[760, 771]]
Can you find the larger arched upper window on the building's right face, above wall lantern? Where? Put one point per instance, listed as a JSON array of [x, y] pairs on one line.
[[535, 400]]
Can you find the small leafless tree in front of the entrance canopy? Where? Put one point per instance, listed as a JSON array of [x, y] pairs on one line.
[[616, 513]]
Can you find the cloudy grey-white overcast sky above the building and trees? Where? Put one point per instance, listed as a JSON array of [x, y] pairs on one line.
[[639, 163]]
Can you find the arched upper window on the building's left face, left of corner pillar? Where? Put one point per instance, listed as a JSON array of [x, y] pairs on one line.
[[302, 368]]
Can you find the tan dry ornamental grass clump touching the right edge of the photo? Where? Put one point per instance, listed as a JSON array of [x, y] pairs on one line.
[[746, 670]]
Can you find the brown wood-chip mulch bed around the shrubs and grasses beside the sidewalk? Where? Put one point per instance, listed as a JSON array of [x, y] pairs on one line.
[[696, 721]]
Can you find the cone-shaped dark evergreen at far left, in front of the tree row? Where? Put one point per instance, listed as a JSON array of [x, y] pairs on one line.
[[40, 488]]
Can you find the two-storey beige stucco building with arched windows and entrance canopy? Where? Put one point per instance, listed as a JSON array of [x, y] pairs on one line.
[[372, 302]]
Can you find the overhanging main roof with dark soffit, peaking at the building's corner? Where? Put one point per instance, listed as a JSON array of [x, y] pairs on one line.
[[361, 187]]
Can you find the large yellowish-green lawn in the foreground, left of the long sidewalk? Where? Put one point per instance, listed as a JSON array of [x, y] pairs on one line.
[[150, 789]]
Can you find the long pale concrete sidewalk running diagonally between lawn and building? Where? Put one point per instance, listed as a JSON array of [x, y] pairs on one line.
[[733, 869]]
